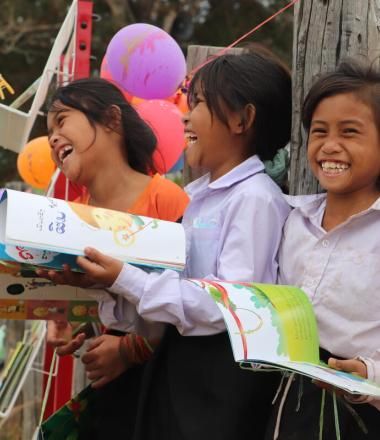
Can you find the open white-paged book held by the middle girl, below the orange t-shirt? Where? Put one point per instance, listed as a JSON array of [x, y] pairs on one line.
[[43, 231]]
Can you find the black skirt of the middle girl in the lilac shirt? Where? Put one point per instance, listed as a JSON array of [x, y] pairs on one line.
[[193, 389]]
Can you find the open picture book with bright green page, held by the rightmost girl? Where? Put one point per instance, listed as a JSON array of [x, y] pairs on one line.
[[275, 325]]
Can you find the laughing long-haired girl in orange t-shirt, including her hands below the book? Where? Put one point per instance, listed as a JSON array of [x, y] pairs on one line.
[[99, 141]]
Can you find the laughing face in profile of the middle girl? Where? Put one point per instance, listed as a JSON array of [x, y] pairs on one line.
[[210, 143]]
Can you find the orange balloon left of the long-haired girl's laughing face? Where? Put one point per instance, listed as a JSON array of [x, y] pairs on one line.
[[35, 164]]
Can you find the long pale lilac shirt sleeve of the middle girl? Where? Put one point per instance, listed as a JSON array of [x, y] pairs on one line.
[[250, 238]]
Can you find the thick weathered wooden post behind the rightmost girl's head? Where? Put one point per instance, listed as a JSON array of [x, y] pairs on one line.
[[325, 32]]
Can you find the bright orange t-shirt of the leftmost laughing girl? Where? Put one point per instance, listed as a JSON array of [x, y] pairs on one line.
[[162, 199]]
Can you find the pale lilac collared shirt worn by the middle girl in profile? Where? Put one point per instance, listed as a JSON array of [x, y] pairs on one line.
[[233, 229]]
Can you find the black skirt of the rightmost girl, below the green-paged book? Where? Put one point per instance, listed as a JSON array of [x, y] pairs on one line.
[[300, 419]]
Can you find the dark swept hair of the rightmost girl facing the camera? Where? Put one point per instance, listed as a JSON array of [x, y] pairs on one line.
[[363, 80]]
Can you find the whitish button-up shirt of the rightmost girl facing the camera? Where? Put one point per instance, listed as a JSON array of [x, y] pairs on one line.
[[340, 272]]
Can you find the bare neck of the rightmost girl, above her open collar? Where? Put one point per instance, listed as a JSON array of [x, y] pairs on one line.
[[340, 207]]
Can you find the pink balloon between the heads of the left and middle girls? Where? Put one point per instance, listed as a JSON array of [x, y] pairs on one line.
[[166, 121]]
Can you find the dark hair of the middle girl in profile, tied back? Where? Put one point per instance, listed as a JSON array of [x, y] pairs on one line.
[[254, 77]]
